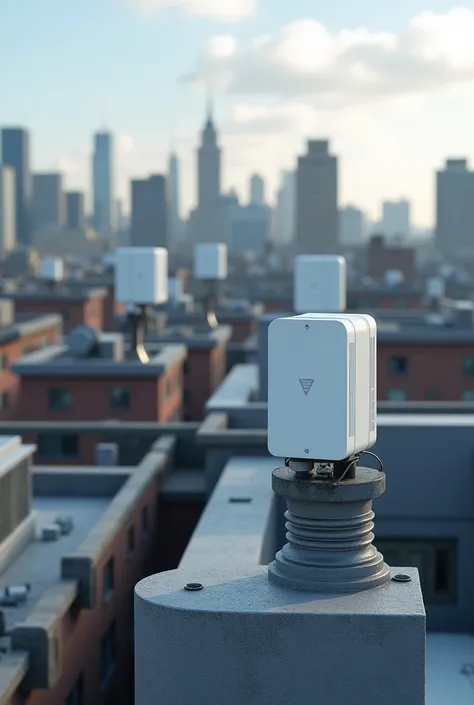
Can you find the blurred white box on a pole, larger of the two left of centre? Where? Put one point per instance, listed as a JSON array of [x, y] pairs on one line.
[[141, 275]]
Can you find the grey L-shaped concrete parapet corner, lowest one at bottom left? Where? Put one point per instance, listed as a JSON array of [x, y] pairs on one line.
[[40, 636]]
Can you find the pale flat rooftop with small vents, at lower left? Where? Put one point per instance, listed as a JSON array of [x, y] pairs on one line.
[[40, 562]]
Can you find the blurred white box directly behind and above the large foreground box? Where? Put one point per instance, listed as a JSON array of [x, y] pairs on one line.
[[320, 283]]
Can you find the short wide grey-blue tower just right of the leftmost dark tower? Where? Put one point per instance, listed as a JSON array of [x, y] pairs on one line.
[[48, 206]]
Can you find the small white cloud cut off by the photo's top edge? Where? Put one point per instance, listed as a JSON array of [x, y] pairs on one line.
[[222, 10]]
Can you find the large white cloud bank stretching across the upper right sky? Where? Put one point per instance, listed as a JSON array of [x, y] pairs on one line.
[[351, 66]]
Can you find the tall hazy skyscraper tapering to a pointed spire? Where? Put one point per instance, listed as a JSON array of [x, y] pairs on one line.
[[209, 183]]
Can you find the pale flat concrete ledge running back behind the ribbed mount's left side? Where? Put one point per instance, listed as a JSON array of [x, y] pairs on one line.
[[234, 524]]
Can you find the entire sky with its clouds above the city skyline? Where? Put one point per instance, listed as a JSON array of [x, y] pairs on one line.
[[409, 85]]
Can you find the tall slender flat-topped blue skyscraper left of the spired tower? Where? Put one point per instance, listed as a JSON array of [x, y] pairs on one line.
[[103, 184]]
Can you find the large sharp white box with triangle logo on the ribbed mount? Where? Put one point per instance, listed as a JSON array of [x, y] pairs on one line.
[[322, 395]]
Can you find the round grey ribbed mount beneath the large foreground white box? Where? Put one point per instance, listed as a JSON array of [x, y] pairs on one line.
[[329, 533]]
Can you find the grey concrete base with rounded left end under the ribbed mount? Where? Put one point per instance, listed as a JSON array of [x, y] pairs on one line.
[[243, 640]]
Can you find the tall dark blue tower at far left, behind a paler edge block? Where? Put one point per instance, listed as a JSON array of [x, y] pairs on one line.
[[16, 153]]
